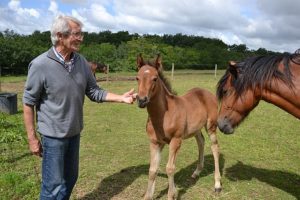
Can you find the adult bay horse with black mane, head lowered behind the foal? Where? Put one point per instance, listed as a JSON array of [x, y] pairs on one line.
[[274, 79]]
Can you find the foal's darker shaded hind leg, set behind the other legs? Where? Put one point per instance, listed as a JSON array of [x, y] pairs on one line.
[[200, 164]]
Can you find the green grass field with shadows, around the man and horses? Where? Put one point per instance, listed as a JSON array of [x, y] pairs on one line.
[[260, 161]]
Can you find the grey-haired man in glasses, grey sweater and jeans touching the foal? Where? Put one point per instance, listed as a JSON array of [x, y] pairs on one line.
[[57, 83]]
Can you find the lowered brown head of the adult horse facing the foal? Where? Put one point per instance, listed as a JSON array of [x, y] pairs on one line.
[[236, 100]]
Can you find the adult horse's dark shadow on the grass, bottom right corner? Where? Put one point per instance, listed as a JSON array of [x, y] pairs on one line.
[[288, 182]]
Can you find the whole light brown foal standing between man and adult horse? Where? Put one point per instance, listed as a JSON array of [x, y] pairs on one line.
[[173, 118]]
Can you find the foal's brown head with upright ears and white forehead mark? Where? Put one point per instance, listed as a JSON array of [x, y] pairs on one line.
[[148, 77]]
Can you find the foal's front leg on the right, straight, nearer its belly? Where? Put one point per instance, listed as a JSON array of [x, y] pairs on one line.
[[174, 146]]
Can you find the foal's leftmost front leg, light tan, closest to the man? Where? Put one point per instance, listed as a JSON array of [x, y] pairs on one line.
[[155, 154]]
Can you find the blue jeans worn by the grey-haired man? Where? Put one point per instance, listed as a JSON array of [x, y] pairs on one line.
[[59, 167]]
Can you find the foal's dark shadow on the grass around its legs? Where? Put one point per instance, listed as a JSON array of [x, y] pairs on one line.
[[116, 183]]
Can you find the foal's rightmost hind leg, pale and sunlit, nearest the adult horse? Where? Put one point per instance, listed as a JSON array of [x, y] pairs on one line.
[[215, 150]]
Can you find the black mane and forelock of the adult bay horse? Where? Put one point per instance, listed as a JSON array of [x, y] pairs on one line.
[[256, 72]]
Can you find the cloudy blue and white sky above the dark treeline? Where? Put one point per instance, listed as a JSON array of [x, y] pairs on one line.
[[270, 24]]
